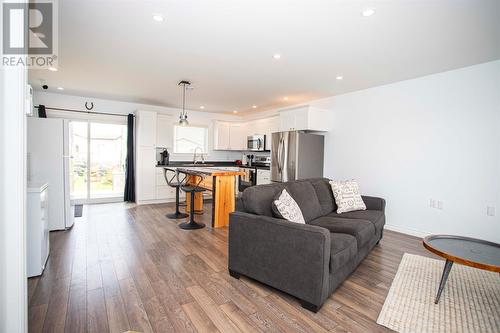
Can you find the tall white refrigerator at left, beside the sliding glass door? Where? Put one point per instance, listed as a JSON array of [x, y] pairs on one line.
[[48, 162]]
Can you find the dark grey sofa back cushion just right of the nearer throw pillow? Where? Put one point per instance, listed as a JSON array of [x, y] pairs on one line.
[[305, 196]]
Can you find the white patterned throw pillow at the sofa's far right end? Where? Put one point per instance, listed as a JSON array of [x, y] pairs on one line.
[[347, 196]]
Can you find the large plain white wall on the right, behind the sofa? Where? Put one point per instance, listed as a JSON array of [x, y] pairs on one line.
[[433, 137]]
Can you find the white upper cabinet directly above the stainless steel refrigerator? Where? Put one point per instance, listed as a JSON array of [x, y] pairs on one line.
[[304, 118]]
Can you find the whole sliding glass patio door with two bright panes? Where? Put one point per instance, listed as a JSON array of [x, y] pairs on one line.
[[97, 168]]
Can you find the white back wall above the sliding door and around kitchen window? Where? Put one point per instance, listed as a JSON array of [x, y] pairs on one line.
[[110, 106]]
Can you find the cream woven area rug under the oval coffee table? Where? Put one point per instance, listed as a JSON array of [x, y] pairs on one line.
[[470, 301]]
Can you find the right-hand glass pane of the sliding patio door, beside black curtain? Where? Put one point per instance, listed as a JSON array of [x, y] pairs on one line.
[[108, 152]]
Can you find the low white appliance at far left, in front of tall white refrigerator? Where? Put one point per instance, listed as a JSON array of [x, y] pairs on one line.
[[37, 233]]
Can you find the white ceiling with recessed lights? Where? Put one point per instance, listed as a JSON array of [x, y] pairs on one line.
[[114, 49]]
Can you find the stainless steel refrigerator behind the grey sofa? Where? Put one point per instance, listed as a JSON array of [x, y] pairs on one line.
[[296, 155]]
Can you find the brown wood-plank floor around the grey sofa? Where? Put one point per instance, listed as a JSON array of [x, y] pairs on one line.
[[130, 268]]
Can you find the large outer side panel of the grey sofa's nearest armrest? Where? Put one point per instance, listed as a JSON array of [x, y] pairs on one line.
[[288, 256]]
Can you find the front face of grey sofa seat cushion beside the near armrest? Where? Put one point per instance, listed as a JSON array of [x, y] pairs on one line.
[[343, 250]]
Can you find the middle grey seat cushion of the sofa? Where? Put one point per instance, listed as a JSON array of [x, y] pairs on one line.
[[363, 230]]
